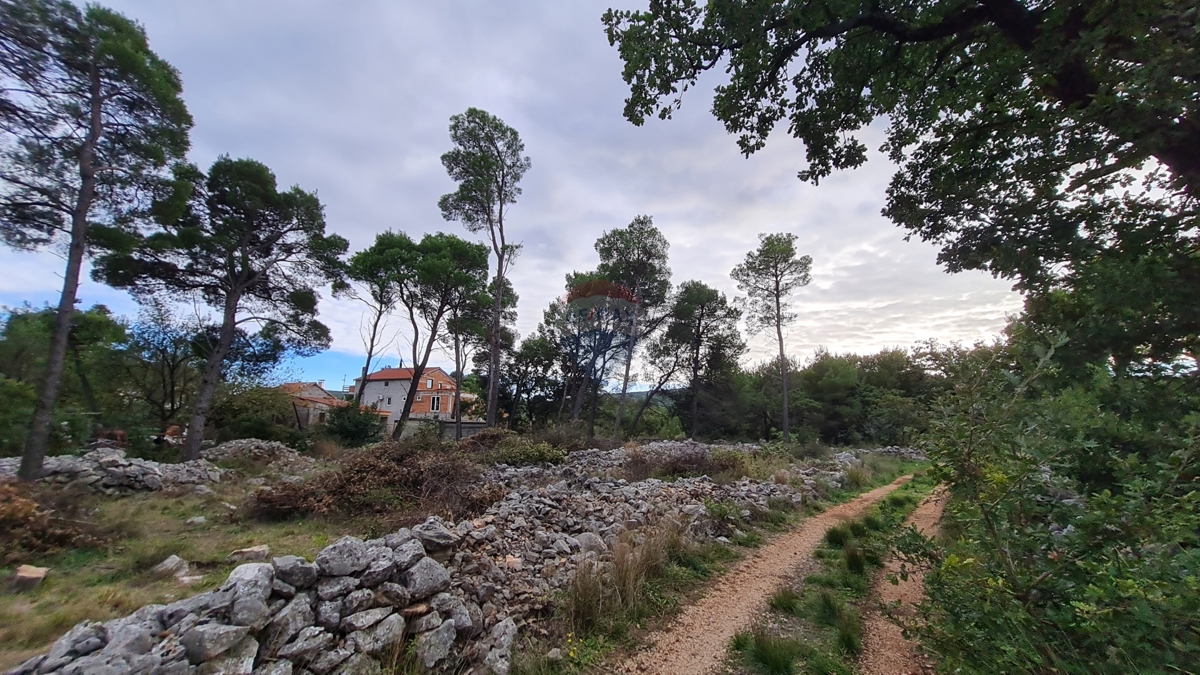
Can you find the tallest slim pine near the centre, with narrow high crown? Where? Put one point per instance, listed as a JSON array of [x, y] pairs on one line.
[[488, 164]]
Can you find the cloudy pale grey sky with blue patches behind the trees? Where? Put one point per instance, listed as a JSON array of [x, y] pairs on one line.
[[353, 100]]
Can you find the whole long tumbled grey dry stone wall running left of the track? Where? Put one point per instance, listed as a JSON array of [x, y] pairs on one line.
[[459, 592]]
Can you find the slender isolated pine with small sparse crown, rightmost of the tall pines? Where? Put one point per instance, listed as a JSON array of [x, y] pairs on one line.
[[770, 276]]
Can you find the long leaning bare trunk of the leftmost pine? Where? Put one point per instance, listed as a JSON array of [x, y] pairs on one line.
[[38, 441]]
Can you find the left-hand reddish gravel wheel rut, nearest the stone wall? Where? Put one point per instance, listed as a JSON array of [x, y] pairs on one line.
[[698, 641]]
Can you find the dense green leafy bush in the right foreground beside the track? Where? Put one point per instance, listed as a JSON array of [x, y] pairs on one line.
[[1077, 518]]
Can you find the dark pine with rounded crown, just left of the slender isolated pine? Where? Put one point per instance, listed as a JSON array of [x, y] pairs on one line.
[[705, 326]]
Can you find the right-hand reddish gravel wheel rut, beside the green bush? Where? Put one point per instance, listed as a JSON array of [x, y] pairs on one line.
[[885, 649]]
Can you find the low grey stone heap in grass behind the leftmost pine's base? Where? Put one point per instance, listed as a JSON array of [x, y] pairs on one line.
[[109, 471]]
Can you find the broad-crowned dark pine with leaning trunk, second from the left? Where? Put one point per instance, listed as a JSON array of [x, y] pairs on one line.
[[253, 253]]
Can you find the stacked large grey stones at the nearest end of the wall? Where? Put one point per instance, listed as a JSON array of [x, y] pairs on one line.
[[339, 614]]
